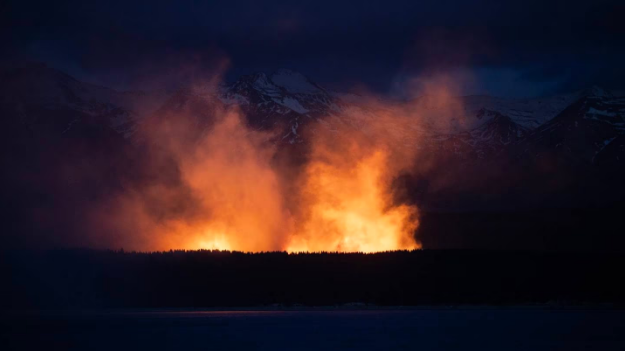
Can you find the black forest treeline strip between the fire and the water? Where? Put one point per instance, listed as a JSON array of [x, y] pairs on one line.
[[196, 279]]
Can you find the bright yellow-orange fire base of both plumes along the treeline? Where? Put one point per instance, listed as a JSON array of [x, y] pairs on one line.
[[347, 209]]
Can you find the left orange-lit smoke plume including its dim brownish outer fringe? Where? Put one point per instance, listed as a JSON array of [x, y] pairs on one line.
[[226, 195]]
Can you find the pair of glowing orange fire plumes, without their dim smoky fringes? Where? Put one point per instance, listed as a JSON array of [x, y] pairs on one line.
[[344, 202]]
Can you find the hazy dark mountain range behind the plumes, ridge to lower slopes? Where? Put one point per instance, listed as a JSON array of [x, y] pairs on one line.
[[481, 152]]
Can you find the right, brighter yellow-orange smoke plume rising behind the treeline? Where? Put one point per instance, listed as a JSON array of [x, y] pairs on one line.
[[347, 203]]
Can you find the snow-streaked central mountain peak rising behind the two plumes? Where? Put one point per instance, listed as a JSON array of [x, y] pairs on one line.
[[284, 101]]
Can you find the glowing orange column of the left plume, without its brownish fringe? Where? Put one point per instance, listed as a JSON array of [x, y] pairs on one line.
[[237, 192]]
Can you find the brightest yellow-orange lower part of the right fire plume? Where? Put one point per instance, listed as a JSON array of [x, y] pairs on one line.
[[350, 210]]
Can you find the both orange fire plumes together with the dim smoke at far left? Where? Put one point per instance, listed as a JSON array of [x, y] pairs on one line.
[[233, 197]]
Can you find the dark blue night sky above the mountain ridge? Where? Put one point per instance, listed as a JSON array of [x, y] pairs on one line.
[[507, 48]]
